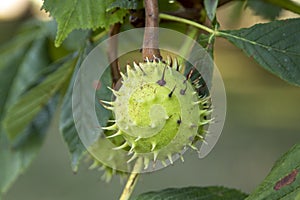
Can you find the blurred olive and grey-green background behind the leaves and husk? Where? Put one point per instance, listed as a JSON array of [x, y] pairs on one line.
[[263, 122]]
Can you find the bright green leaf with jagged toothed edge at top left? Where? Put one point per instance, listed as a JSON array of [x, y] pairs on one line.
[[77, 14]]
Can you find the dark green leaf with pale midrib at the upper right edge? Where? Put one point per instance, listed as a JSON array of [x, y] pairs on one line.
[[275, 46]]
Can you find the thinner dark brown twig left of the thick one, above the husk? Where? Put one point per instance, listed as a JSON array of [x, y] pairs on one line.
[[112, 53]]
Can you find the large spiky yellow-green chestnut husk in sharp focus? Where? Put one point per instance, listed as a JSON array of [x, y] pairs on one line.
[[157, 112]]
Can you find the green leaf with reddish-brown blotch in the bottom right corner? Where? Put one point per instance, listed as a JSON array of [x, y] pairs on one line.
[[283, 182]]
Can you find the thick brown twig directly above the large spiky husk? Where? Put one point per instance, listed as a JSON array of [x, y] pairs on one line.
[[150, 43]]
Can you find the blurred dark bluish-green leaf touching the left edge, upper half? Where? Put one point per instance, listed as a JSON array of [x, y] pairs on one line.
[[21, 62]]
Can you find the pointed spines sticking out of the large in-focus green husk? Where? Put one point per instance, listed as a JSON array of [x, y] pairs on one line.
[[203, 103]]
